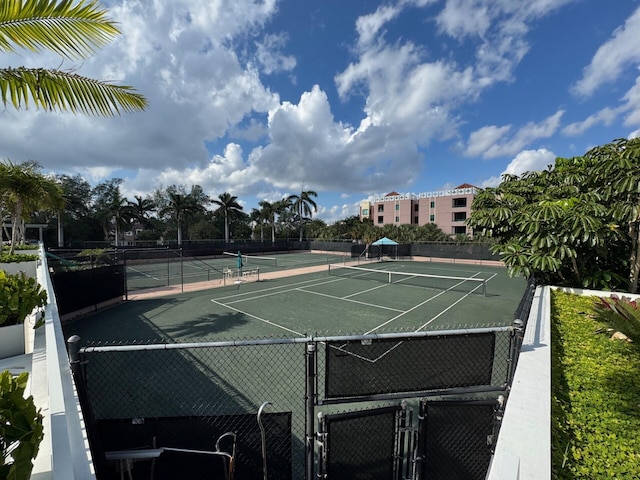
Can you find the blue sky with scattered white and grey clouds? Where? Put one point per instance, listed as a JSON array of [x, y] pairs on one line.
[[351, 99]]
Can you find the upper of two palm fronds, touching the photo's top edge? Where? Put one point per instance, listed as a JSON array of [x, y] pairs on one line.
[[72, 30]]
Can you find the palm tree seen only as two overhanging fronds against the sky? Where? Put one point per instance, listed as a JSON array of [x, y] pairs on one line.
[[74, 31]]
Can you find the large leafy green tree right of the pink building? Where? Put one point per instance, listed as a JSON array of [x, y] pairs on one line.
[[563, 224]]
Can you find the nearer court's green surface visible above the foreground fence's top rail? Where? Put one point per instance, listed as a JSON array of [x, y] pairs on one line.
[[313, 304]]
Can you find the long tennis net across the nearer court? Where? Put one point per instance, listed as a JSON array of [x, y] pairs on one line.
[[425, 280]]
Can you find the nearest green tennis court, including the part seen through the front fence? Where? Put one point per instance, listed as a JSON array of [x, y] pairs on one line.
[[204, 380]]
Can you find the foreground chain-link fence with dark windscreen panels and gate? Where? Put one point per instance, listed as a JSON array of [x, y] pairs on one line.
[[182, 395]]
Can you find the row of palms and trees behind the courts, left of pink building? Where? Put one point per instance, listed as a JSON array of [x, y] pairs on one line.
[[25, 191]]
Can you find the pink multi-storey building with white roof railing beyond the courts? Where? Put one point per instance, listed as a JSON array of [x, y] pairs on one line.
[[448, 209]]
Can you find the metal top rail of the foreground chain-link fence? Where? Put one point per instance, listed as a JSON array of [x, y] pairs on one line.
[[299, 340]]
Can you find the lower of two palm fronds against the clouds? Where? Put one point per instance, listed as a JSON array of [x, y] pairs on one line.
[[66, 92]]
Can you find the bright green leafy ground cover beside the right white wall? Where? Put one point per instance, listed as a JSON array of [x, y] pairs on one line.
[[595, 395]]
